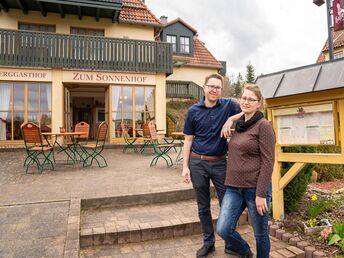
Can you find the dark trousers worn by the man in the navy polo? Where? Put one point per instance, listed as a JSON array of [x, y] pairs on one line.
[[202, 171]]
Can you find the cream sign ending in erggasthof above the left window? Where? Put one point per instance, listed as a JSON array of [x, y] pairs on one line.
[[25, 75]]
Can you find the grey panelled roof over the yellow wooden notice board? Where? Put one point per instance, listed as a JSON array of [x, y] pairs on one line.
[[312, 78]]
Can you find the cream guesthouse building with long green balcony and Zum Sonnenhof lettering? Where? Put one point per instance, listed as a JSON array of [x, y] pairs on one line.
[[62, 62]]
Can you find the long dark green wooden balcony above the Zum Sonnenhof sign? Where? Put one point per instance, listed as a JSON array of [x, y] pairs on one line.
[[51, 50]]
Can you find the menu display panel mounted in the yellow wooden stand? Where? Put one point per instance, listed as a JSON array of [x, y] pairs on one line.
[[311, 125]]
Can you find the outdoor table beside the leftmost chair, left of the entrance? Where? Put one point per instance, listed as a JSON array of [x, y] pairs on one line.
[[72, 149]]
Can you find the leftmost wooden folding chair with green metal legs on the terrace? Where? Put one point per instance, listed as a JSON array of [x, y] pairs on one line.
[[37, 152]]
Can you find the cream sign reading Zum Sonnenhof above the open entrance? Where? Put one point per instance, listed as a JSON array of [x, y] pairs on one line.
[[108, 78]]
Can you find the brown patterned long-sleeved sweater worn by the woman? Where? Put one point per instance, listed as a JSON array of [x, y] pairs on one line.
[[251, 158]]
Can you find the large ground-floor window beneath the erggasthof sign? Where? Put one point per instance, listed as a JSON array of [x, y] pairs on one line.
[[21, 101]]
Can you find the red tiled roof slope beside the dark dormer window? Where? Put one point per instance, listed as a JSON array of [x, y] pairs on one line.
[[201, 58]]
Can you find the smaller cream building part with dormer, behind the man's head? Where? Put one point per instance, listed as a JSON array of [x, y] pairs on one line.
[[192, 61]]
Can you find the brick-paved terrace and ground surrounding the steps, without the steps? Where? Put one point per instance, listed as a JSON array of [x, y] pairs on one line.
[[39, 212]]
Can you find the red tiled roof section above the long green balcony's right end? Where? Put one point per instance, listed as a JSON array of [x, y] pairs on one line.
[[135, 11]]
